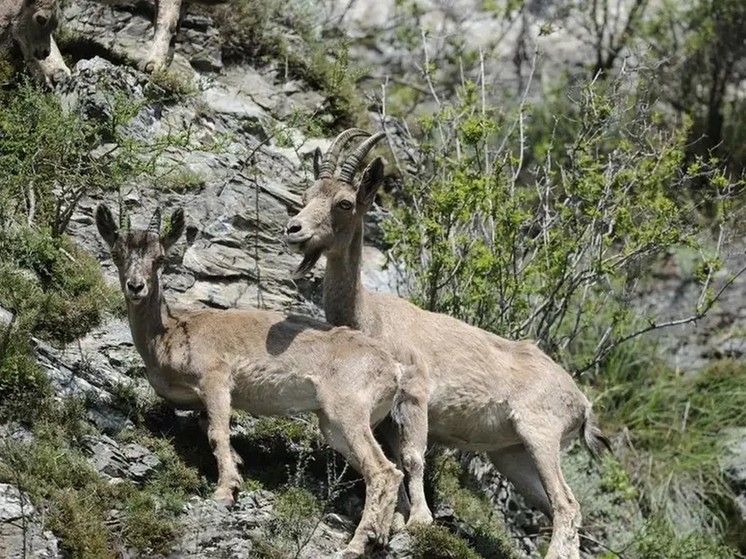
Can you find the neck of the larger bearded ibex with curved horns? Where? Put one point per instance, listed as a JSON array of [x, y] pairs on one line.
[[345, 301]]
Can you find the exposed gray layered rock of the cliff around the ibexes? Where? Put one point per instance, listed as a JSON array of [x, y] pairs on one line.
[[239, 196]]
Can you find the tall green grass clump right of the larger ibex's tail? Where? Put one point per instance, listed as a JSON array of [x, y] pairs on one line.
[[676, 429]]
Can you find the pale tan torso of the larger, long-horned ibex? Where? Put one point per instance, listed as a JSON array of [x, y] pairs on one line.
[[480, 382]]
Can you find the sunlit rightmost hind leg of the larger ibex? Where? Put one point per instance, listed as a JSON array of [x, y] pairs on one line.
[[543, 446]]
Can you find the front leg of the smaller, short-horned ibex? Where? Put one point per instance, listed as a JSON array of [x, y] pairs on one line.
[[217, 399]]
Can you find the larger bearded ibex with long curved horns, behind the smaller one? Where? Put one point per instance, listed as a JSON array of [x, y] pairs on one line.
[[483, 392]]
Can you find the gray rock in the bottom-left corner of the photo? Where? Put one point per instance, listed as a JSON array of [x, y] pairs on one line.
[[22, 532]]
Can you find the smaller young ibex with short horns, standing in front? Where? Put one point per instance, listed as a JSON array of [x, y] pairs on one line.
[[262, 362]]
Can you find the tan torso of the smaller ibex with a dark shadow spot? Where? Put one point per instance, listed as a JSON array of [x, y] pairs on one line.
[[276, 361]]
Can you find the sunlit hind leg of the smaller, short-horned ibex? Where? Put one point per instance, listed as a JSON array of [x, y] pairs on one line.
[[350, 434]]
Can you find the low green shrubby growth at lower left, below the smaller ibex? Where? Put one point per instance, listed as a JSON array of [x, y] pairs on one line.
[[55, 471]]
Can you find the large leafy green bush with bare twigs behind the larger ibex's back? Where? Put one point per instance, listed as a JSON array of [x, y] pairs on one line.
[[542, 251]]
